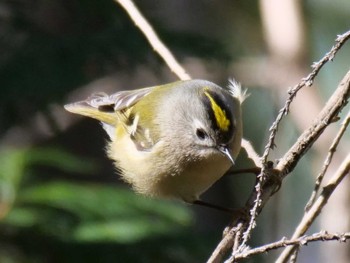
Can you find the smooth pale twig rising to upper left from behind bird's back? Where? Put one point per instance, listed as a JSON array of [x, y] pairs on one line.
[[153, 39]]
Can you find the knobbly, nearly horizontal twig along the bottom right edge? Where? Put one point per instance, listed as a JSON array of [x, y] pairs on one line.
[[300, 241]]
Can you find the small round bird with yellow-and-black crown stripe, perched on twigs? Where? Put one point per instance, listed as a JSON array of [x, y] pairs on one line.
[[173, 140]]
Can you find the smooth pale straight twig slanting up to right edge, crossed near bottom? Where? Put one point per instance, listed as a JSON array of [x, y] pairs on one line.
[[317, 206]]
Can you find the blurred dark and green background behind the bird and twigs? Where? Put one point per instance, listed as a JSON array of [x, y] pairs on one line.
[[61, 200]]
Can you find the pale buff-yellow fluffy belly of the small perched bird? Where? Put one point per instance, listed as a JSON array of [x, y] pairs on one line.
[[166, 179]]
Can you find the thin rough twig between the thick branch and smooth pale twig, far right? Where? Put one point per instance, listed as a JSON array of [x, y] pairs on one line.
[[328, 161]]
